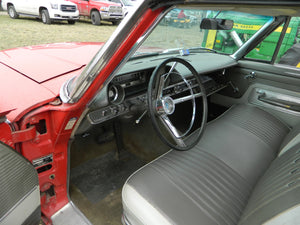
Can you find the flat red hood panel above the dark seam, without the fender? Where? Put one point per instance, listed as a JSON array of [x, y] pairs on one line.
[[45, 62]]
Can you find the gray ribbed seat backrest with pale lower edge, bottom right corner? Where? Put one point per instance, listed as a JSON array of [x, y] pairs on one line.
[[276, 197]]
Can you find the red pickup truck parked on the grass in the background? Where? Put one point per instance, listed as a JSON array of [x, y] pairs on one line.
[[100, 10]]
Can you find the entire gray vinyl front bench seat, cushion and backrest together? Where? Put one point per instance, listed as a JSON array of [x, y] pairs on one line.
[[230, 177]]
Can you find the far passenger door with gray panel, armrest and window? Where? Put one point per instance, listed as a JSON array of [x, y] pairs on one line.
[[269, 75]]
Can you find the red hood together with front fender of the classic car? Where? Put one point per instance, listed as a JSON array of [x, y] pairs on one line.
[[32, 76]]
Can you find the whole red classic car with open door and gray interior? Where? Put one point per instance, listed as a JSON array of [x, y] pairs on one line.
[[151, 127]]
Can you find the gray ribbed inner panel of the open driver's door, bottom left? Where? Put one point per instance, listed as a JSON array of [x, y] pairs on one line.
[[19, 189]]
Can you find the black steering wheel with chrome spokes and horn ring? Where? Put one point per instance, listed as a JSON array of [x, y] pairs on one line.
[[165, 93]]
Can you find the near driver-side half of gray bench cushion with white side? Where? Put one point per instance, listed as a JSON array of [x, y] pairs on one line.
[[184, 187]]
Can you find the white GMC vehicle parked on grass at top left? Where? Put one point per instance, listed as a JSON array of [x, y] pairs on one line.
[[47, 10]]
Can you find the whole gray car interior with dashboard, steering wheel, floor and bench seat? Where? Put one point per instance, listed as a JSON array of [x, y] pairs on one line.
[[224, 148]]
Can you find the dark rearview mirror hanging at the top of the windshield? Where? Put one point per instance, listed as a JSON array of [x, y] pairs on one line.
[[216, 24]]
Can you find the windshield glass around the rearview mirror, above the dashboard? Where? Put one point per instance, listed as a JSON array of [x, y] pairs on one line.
[[180, 30]]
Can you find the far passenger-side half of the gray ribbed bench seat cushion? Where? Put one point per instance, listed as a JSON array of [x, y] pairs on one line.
[[245, 138]]
